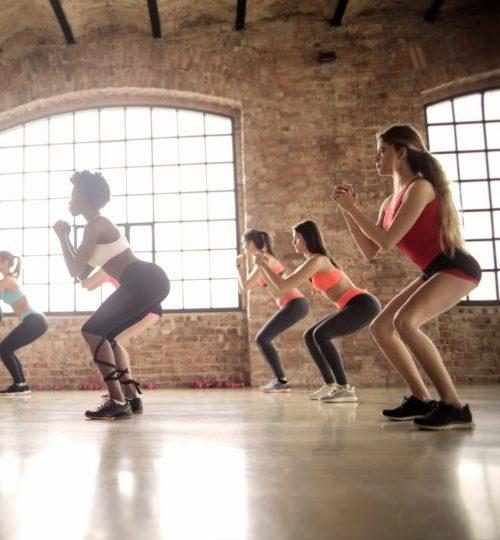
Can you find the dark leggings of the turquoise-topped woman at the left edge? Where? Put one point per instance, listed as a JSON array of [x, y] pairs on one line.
[[31, 328]]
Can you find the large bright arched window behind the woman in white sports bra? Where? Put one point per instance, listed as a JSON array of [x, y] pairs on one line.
[[172, 178]]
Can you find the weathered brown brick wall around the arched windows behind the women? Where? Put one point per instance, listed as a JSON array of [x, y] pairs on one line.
[[304, 126]]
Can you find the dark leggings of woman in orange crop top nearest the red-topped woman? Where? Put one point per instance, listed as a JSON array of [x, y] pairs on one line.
[[356, 314]]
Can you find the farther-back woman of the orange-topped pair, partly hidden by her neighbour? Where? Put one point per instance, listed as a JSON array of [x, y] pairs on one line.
[[292, 306]]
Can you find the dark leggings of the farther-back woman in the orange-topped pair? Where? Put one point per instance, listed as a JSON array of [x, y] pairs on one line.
[[286, 317]]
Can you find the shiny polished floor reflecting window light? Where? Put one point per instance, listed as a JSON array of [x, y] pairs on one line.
[[238, 464]]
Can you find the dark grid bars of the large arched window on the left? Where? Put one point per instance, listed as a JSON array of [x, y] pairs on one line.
[[52, 255]]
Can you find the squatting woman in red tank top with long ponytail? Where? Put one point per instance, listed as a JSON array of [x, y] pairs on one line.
[[421, 220]]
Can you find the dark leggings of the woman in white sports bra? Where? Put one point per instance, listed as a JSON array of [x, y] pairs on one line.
[[143, 286]]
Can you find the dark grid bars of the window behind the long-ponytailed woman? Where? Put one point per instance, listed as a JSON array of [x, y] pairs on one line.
[[487, 148]]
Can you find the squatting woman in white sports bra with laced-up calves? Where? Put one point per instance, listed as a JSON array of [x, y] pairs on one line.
[[143, 286]]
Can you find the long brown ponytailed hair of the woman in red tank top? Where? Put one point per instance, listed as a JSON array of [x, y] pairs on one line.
[[425, 164]]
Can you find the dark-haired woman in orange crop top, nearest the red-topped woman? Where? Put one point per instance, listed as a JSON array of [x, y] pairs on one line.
[[357, 308]]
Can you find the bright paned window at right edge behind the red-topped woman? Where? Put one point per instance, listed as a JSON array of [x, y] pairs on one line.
[[464, 134]]
